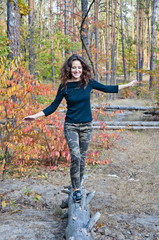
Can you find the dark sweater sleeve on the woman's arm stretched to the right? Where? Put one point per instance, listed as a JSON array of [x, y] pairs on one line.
[[104, 88]]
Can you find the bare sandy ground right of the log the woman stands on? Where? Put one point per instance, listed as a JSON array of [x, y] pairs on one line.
[[127, 190]]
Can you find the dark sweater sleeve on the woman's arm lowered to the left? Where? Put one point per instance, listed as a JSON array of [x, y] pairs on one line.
[[54, 105]]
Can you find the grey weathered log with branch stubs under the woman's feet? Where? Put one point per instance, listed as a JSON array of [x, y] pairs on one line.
[[80, 223]]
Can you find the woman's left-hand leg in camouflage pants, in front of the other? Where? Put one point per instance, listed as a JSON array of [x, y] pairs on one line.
[[72, 137]]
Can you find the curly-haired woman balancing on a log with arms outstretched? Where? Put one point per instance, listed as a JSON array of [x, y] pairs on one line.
[[76, 85]]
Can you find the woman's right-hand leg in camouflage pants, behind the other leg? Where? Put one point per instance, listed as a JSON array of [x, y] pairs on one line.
[[85, 136]]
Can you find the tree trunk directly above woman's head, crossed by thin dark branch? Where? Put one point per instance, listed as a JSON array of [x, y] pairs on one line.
[[84, 6]]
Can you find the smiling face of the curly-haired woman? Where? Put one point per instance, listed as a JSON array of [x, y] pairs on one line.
[[76, 70]]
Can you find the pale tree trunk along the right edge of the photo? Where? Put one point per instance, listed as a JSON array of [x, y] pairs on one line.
[[153, 61]]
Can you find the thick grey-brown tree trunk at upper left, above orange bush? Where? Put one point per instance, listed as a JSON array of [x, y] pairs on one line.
[[13, 27]]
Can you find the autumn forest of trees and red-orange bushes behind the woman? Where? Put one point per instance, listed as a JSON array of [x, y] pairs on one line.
[[119, 38]]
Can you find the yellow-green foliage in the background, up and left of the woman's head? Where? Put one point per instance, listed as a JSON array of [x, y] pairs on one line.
[[43, 61]]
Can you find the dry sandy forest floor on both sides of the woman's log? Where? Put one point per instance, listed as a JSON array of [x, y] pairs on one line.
[[127, 194]]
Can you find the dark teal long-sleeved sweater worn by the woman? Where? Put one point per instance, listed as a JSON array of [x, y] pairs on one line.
[[78, 100]]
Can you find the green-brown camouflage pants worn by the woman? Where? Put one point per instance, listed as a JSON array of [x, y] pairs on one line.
[[78, 137]]
